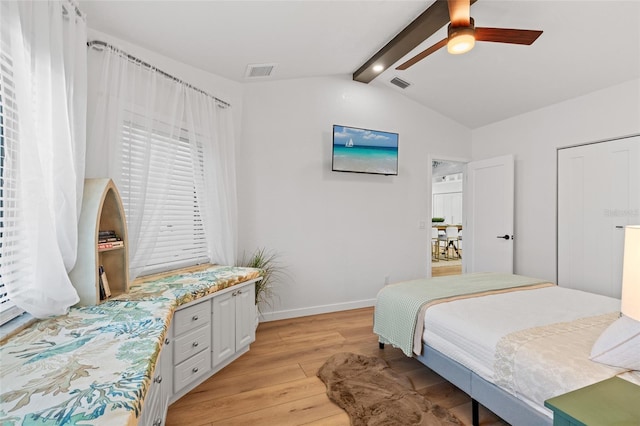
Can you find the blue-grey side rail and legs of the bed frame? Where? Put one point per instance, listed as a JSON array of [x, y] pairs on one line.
[[500, 402]]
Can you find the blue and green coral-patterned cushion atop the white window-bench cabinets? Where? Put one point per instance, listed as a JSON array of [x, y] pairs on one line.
[[93, 366]]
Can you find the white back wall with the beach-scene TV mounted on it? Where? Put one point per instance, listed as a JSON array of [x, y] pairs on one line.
[[339, 234]]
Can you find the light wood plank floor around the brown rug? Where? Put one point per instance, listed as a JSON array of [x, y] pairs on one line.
[[275, 383]]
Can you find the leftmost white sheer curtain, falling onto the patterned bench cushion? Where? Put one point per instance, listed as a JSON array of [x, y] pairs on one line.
[[44, 42]]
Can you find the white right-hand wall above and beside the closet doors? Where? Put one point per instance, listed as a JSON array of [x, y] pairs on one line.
[[534, 138]]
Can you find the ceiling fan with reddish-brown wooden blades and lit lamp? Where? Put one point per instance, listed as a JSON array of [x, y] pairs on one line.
[[462, 34]]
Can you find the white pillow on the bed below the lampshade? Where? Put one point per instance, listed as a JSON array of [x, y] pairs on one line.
[[619, 344]]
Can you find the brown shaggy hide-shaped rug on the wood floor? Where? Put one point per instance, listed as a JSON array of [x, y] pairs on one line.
[[375, 395]]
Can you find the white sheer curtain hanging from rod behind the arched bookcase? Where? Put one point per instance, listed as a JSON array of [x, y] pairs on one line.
[[137, 103]]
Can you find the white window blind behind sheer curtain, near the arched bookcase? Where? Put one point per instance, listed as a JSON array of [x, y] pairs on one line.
[[180, 238]]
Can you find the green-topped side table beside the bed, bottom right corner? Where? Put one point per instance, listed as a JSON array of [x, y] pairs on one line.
[[613, 401]]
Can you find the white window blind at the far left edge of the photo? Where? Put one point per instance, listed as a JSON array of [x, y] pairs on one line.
[[11, 257]]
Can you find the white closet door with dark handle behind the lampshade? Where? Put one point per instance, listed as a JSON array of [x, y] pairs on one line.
[[598, 194]]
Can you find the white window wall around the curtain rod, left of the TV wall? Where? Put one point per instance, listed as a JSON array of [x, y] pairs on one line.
[[222, 88]]
